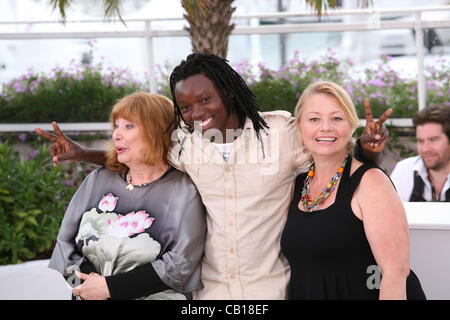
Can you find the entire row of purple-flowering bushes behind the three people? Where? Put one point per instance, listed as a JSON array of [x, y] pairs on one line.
[[84, 93]]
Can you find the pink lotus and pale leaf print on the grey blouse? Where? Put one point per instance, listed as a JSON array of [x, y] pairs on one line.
[[116, 243]]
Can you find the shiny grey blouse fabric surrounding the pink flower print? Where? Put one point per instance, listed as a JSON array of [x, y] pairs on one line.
[[179, 225]]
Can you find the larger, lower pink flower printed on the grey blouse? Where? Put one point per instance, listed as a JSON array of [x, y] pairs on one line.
[[132, 223]]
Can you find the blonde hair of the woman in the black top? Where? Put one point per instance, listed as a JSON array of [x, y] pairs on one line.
[[334, 90]]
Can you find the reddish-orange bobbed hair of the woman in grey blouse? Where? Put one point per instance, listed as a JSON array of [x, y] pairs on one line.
[[154, 114]]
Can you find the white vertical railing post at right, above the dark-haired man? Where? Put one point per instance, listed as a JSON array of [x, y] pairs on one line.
[[421, 90]]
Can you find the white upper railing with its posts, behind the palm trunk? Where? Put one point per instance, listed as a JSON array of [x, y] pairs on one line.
[[373, 22]]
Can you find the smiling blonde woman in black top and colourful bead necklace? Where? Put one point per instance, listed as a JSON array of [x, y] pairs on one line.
[[346, 235]]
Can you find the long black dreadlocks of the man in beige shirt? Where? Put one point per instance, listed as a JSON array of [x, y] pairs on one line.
[[233, 90]]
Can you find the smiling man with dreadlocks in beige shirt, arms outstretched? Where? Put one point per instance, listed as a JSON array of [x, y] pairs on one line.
[[243, 163]]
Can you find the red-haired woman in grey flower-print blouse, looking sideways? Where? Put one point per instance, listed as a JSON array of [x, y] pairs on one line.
[[135, 228]]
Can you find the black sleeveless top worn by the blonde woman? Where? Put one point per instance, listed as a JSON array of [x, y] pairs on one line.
[[328, 252]]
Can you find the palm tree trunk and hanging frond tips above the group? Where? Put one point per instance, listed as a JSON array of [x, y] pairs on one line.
[[209, 20]]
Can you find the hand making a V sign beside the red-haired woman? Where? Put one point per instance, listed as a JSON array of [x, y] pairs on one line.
[[62, 148]]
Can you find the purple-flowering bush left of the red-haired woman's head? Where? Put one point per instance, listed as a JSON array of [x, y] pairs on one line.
[[80, 93]]
